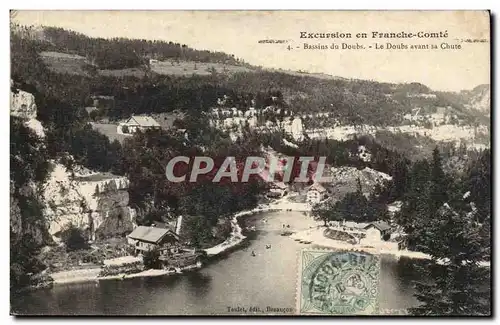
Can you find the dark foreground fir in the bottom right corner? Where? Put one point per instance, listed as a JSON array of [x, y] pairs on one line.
[[454, 283]]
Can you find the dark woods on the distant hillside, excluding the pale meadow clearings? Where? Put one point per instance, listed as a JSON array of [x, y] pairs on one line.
[[350, 102]]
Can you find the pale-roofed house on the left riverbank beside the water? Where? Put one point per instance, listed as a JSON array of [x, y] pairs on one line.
[[145, 238]]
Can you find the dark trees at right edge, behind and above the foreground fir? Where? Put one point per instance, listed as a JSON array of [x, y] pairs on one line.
[[428, 188]]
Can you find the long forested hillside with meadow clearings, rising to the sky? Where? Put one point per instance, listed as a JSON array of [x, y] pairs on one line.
[[141, 90]]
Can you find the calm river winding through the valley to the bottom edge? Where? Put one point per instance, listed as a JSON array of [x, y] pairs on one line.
[[234, 279]]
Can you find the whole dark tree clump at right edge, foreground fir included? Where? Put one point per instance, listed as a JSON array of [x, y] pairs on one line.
[[440, 214]]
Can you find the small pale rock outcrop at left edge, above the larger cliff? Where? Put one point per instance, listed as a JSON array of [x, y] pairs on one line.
[[22, 104]]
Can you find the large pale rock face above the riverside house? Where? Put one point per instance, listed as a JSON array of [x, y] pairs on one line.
[[96, 203]]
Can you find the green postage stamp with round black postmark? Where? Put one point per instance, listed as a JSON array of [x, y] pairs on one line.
[[338, 283]]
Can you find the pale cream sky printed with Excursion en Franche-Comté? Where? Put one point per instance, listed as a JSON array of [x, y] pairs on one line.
[[238, 33]]
